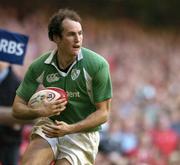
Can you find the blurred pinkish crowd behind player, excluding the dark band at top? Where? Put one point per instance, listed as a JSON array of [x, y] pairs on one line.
[[144, 126]]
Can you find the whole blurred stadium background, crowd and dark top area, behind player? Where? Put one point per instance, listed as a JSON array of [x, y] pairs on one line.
[[141, 41]]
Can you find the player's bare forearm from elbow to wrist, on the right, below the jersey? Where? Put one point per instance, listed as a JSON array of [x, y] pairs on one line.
[[95, 119]]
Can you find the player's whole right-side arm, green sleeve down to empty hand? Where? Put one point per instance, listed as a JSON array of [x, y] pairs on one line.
[[102, 87]]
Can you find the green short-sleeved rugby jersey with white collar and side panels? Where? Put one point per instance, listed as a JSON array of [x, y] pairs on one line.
[[87, 82]]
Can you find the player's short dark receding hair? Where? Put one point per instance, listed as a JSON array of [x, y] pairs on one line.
[[55, 22]]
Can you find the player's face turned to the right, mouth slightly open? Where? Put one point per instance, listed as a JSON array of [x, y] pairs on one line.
[[72, 37]]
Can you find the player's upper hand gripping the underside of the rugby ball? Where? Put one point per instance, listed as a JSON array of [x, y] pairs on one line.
[[48, 109]]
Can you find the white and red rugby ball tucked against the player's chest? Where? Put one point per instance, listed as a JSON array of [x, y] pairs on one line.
[[50, 94]]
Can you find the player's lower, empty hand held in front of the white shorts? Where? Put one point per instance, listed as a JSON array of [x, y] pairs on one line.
[[59, 128]]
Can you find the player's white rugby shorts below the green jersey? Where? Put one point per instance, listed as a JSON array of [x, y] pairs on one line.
[[78, 148]]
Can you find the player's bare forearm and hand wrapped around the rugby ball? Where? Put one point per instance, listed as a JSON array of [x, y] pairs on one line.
[[21, 110]]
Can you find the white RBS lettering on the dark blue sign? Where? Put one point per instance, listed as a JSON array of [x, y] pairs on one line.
[[11, 47]]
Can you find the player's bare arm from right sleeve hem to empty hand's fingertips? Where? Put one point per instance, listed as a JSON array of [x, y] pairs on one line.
[[98, 117]]
